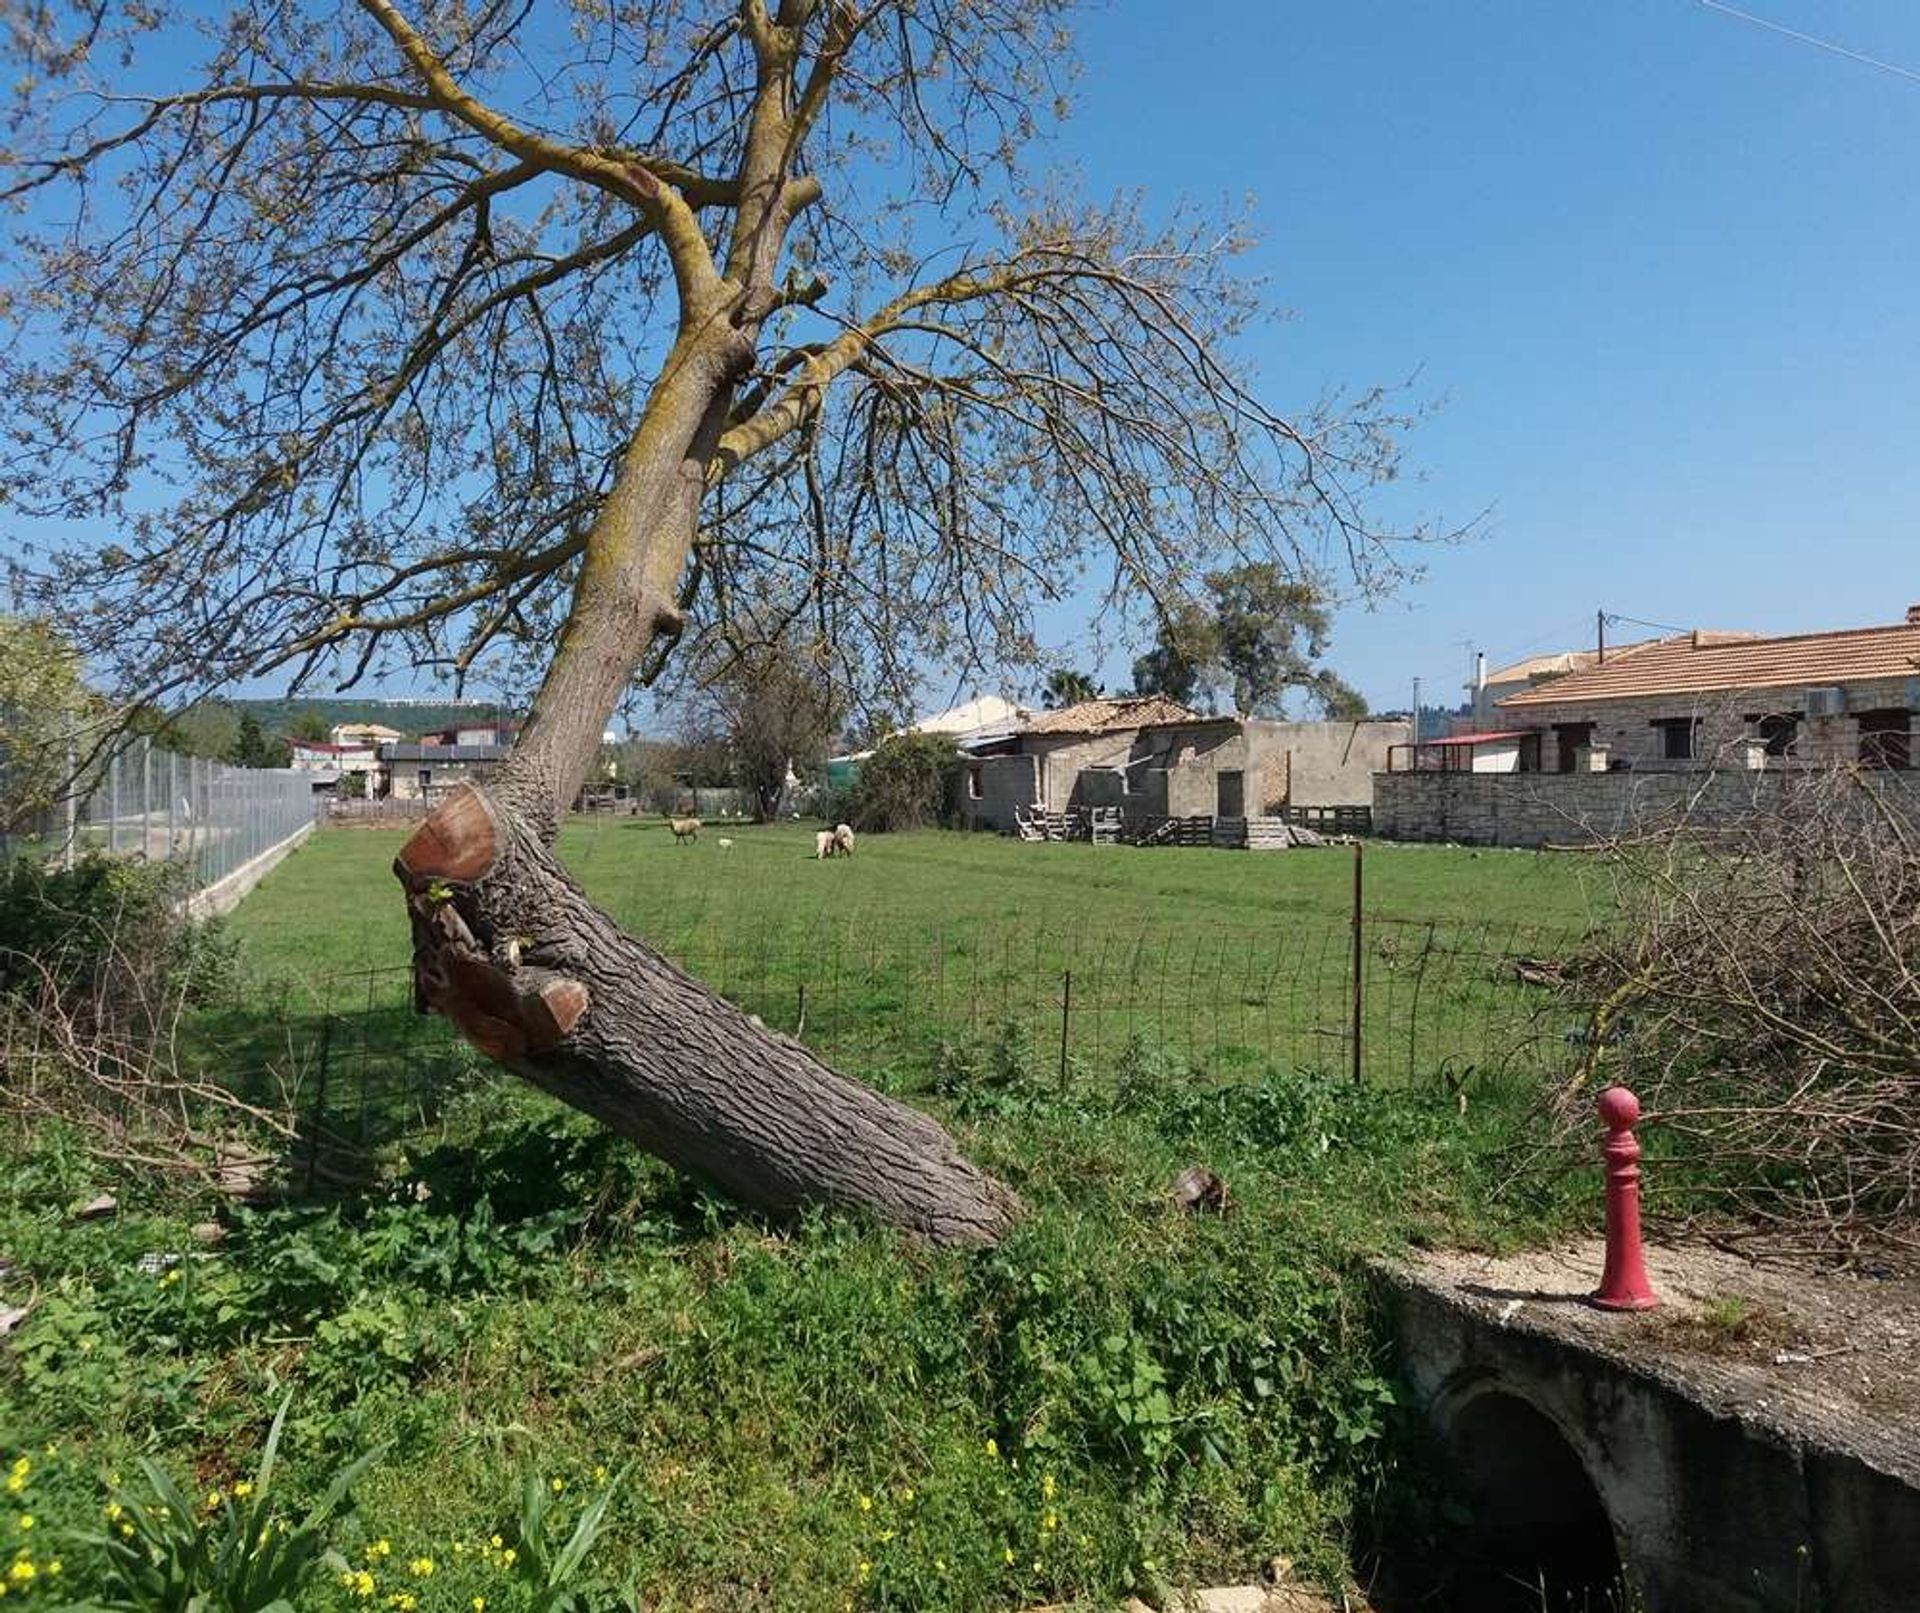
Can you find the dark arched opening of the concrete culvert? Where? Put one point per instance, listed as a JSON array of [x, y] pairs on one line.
[[1539, 1535]]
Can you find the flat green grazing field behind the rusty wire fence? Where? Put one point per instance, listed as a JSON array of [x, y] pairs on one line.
[[1237, 959]]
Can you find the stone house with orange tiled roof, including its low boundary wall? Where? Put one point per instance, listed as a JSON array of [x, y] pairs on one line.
[[1735, 706]]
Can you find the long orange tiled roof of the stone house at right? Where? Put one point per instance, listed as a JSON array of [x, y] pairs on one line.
[[1716, 663]]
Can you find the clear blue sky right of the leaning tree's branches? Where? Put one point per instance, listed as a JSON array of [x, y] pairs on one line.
[[1658, 268]]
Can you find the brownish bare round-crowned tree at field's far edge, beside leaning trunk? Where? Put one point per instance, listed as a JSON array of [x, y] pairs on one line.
[[779, 711]]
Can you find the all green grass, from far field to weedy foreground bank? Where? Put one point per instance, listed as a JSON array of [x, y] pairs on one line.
[[817, 1416]]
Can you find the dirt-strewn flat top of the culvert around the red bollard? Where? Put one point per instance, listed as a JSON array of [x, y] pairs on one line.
[[1775, 1339]]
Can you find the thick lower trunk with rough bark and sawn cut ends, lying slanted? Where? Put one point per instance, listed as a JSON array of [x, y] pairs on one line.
[[512, 951]]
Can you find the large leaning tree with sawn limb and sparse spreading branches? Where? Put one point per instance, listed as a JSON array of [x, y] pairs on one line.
[[567, 333]]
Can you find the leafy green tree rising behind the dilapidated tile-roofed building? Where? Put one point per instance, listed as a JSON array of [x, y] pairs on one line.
[[1260, 637]]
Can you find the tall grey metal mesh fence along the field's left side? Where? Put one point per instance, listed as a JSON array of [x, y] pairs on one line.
[[143, 802]]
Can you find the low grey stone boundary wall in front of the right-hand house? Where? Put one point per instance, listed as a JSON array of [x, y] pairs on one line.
[[1572, 809]]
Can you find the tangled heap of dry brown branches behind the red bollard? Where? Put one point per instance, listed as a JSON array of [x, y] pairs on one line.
[[1764, 999]]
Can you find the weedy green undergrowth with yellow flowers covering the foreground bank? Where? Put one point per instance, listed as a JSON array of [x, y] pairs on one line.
[[802, 1416]]
